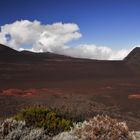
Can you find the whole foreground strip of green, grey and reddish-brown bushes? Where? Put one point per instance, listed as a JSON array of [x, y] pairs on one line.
[[40, 123]]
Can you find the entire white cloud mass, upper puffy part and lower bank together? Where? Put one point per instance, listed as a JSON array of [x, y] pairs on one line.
[[54, 38]]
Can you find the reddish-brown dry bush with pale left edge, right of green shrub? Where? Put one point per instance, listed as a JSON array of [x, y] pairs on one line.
[[98, 128]]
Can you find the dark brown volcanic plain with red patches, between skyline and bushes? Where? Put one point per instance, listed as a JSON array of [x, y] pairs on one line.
[[87, 87]]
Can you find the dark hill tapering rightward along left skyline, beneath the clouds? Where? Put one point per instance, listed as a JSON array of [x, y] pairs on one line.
[[8, 54]]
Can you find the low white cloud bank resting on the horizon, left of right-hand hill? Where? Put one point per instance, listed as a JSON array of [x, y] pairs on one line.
[[93, 52]]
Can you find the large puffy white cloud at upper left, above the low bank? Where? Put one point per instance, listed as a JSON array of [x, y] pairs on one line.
[[25, 32]]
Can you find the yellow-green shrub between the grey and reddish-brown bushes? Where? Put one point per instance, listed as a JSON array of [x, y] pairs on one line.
[[52, 121]]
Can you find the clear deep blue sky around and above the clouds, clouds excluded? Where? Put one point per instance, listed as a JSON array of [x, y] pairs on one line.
[[112, 23]]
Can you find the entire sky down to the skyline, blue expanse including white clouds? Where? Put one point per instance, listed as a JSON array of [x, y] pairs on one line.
[[96, 29]]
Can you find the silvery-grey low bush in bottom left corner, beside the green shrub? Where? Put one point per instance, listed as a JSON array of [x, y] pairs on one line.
[[11, 129]]
